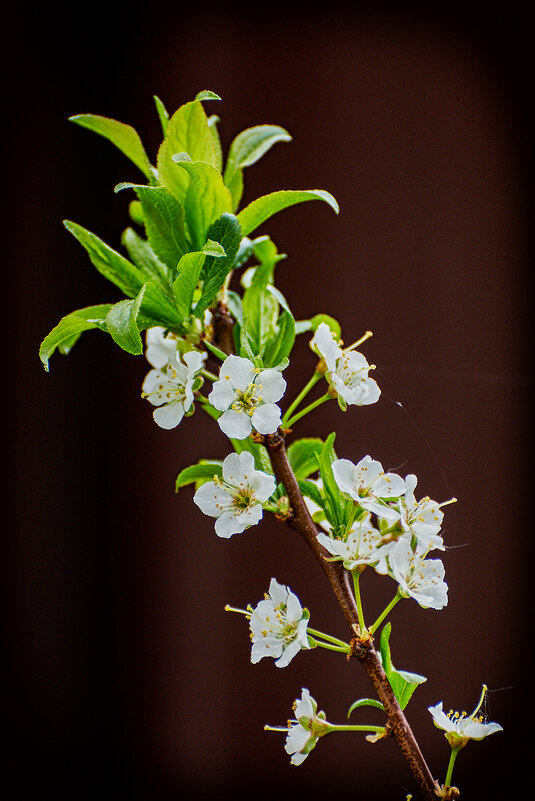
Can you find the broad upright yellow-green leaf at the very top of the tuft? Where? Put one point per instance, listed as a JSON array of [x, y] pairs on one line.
[[188, 132]]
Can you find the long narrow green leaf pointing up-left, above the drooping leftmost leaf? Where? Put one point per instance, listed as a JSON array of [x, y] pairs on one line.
[[126, 276]]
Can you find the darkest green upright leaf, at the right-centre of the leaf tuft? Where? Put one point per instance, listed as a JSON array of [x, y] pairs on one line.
[[226, 232]]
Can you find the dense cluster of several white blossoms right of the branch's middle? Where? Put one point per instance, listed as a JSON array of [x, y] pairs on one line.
[[406, 531]]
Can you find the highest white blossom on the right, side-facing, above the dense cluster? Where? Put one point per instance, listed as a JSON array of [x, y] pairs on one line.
[[346, 370]]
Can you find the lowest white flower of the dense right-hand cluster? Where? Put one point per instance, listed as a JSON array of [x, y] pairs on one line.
[[418, 577]]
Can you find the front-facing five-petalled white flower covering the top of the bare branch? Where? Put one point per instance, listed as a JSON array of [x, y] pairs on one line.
[[247, 397]]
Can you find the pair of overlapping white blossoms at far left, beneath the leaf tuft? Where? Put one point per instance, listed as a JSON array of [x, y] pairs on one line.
[[172, 382]]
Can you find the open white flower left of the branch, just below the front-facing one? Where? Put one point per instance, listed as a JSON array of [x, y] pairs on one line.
[[235, 499]]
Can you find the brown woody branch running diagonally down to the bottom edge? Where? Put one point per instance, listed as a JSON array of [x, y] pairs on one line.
[[363, 650]]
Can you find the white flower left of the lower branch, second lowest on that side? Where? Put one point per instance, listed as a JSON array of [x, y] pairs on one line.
[[278, 626]]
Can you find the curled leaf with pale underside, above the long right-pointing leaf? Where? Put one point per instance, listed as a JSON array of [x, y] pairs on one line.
[[247, 147]]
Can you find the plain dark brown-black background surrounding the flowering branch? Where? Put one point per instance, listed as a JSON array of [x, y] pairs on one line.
[[128, 680]]
